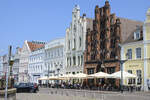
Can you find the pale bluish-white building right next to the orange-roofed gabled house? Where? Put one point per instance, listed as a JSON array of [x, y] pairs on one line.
[[36, 65]]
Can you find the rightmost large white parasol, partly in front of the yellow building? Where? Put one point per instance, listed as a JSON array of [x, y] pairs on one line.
[[124, 73]]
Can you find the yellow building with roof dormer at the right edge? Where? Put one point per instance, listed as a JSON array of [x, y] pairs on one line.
[[136, 49]]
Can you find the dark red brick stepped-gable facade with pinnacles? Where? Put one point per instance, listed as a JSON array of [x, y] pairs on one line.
[[102, 42]]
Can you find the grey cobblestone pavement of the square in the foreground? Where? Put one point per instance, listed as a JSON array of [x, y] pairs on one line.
[[61, 94]]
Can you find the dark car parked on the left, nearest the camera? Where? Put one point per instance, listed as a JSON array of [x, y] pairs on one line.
[[25, 87]]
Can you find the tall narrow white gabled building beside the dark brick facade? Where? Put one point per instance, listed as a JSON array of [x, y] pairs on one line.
[[75, 41]]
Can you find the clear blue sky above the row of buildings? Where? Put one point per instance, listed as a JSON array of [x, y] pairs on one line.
[[48, 19]]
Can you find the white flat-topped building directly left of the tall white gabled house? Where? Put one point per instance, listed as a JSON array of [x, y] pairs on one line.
[[55, 57]]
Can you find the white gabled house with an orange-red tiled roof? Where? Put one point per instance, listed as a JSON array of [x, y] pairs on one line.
[[27, 48]]
